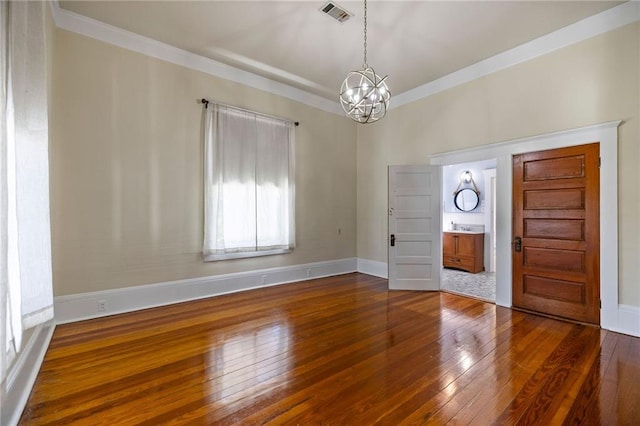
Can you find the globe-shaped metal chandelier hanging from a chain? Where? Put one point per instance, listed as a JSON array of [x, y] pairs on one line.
[[364, 96]]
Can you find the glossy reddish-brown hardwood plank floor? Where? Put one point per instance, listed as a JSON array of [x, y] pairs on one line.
[[340, 350]]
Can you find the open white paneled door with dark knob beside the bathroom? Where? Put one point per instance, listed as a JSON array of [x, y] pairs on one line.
[[415, 236]]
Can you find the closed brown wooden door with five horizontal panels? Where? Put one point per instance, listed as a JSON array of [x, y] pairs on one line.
[[556, 229]]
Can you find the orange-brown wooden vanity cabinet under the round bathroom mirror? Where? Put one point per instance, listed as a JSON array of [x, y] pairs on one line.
[[463, 250]]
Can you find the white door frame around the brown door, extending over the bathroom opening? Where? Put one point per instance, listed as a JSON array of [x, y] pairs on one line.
[[607, 135]]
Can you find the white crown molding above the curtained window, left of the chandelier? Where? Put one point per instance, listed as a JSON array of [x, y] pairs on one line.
[[80, 24]]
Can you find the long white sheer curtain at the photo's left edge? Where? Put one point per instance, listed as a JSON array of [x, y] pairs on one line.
[[25, 262]]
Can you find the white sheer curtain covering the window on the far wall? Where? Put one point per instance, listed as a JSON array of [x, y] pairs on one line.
[[249, 183]]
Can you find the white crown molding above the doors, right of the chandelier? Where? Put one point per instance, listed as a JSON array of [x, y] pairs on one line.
[[611, 19]]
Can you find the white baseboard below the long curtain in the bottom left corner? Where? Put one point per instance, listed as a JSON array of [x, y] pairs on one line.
[[22, 375]]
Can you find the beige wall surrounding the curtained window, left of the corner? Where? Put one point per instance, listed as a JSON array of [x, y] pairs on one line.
[[126, 166]]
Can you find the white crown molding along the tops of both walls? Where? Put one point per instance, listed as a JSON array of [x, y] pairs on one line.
[[611, 19]]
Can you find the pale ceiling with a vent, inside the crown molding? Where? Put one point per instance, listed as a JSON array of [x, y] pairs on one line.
[[414, 42]]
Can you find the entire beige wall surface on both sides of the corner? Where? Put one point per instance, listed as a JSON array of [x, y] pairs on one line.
[[126, 203]]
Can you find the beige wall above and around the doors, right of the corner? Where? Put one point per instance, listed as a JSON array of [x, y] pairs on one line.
[[592, 82]]
